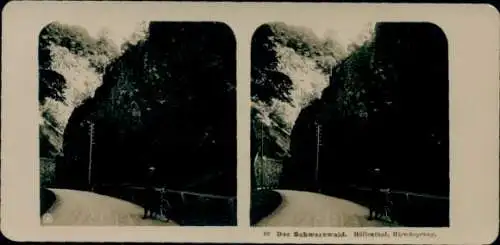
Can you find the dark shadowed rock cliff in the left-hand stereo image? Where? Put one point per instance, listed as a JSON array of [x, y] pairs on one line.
[[168, 101]]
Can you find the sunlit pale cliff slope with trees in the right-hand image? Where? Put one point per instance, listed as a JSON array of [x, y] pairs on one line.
[[290, 68]]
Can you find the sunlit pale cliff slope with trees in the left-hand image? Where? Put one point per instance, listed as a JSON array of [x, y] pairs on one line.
[[70, 70]]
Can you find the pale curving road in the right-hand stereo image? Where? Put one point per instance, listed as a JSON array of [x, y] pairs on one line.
[[307, 209]]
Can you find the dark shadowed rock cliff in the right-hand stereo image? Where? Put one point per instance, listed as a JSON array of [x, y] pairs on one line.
[[386, 107]]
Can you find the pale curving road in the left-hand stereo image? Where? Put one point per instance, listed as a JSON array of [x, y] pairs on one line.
[[86, 208]]
